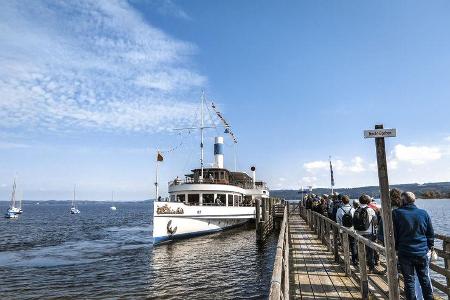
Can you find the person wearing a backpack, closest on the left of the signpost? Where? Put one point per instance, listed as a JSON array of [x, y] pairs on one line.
[[364, 221]]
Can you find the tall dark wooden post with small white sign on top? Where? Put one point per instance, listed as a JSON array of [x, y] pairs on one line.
[[391, 260]]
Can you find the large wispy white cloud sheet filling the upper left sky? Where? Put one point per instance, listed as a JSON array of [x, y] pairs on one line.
[[92, 64]]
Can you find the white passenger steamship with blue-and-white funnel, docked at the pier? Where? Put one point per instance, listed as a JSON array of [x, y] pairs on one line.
[[207, 200]]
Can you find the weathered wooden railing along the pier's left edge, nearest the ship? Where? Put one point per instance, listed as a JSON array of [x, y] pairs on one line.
[[279, 286]]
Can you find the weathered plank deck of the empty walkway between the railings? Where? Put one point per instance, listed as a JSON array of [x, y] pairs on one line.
[[313, 272]]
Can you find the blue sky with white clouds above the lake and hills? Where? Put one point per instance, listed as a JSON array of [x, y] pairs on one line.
[[90, 90]]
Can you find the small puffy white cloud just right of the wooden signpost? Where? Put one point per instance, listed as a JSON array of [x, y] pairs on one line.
[[416, 155]]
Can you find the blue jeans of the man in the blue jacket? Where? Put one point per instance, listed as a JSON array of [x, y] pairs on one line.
[[411, 266]]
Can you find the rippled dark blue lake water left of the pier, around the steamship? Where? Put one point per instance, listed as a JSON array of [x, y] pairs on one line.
[[48, 253]]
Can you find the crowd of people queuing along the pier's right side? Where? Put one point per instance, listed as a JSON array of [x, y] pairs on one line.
[[413, 233]]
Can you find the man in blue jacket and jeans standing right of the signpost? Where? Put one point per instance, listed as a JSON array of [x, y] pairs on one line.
[[414, 237]]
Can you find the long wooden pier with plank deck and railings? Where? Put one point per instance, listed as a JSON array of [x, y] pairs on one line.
[[313, 261]]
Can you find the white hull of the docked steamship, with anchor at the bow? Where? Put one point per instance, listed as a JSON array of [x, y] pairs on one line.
[[174, 220]]
